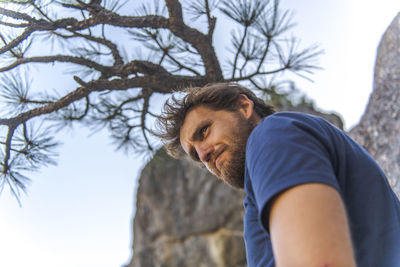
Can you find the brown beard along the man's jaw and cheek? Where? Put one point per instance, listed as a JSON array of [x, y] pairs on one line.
[[232, 173]]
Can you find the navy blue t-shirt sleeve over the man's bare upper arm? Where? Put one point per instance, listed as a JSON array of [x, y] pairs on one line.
[[283, 152]]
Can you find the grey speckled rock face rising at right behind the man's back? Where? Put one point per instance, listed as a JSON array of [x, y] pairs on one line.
[[379, 128]]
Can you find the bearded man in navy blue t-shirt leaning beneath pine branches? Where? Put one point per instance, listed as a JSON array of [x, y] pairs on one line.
[[314, 196]]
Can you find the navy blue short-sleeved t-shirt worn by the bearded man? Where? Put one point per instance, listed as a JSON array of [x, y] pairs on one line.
[[287, 149]]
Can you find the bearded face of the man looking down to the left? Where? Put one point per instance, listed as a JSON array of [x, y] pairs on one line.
[[217, 139]]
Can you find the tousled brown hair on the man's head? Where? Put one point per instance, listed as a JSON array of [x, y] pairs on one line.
[[217, 96]]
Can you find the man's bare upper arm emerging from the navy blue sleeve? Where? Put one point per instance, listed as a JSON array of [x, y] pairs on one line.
[[308, 227]]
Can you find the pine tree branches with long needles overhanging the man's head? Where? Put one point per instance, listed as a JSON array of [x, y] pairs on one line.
[[123, 56]]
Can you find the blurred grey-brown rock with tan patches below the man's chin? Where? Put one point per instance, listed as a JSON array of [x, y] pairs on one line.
[[186, 217]]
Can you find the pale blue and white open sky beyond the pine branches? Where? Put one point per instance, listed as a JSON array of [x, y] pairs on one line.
[[79, 213]]
